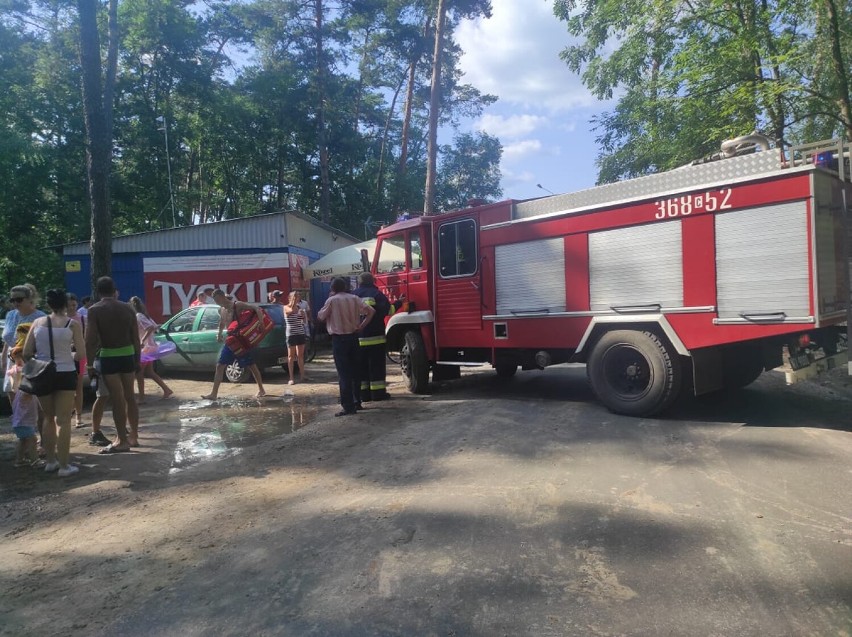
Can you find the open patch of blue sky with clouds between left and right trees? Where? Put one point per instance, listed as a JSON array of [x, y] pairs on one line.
[[543, 112]]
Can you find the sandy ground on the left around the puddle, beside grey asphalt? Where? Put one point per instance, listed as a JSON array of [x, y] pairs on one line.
[[77, 551]]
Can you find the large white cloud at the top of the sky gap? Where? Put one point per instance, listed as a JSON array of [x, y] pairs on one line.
[[515, 55]]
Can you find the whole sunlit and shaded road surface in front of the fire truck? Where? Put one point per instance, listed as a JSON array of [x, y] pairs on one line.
[[487, 508]]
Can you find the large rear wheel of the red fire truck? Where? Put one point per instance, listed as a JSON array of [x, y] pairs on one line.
[[633, 373]]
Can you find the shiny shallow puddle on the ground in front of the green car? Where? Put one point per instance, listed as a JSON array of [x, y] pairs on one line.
[[213, 430]]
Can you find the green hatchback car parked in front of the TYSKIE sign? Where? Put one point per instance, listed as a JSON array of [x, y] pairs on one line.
[[193, 331]]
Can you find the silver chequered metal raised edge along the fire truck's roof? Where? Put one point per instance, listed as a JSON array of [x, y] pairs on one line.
[[830, 154]]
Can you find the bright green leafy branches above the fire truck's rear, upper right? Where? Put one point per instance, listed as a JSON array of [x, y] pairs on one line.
[[687, 76]]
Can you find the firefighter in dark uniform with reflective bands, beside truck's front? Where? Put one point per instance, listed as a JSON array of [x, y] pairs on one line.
[[372, 341]]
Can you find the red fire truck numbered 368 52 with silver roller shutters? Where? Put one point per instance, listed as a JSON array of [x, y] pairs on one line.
[[696, 279]]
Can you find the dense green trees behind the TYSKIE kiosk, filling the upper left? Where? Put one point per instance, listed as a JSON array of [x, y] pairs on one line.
[[238, 89]]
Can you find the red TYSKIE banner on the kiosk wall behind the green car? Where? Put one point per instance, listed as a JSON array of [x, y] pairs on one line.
[[171, 283]]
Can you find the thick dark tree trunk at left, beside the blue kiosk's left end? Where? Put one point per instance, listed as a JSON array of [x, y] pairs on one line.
[[98, 146]]
